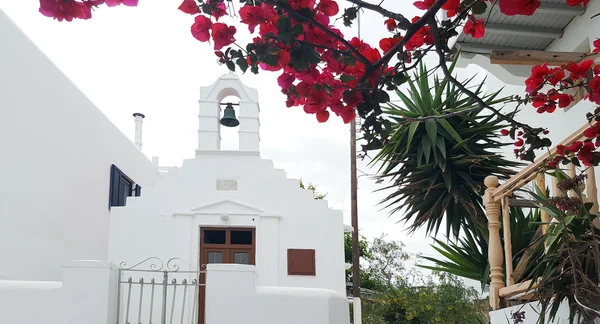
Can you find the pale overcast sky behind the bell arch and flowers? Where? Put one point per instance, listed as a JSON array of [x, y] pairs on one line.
[[145, 60]]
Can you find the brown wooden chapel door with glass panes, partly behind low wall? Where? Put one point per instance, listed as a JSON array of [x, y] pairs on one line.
[[223, 245]]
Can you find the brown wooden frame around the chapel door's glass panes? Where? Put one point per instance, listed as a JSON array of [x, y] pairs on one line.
[[228, 249]]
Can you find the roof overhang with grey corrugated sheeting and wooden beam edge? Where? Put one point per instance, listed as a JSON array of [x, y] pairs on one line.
[[513, 44]]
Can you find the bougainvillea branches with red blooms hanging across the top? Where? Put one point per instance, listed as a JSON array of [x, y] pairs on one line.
[[325, 72]]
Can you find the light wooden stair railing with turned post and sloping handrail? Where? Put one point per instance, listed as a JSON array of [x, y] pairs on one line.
[[496, 201]]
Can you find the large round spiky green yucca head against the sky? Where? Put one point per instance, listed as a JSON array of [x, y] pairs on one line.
[[437, 165]]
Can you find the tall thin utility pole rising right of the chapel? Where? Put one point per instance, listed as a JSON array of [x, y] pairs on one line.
[[356, 305]]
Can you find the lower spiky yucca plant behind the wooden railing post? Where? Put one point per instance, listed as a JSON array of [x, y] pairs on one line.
[[468, 258]]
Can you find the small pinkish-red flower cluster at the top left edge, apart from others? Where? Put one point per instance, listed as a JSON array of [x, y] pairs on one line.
[[72, 9]]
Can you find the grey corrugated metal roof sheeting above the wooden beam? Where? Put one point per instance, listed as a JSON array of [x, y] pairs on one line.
[[535, 32]]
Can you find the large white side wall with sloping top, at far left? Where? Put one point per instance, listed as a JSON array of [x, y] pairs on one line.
[[56, 153]]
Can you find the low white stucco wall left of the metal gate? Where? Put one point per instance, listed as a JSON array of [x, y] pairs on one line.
[[86, 294]]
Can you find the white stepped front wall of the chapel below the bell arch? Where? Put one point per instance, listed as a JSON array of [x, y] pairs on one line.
[[165, 222]]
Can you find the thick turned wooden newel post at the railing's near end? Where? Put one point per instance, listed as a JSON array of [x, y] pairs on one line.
[[492, 210]]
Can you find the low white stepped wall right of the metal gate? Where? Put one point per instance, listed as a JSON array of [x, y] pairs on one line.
[[233, 297]]
